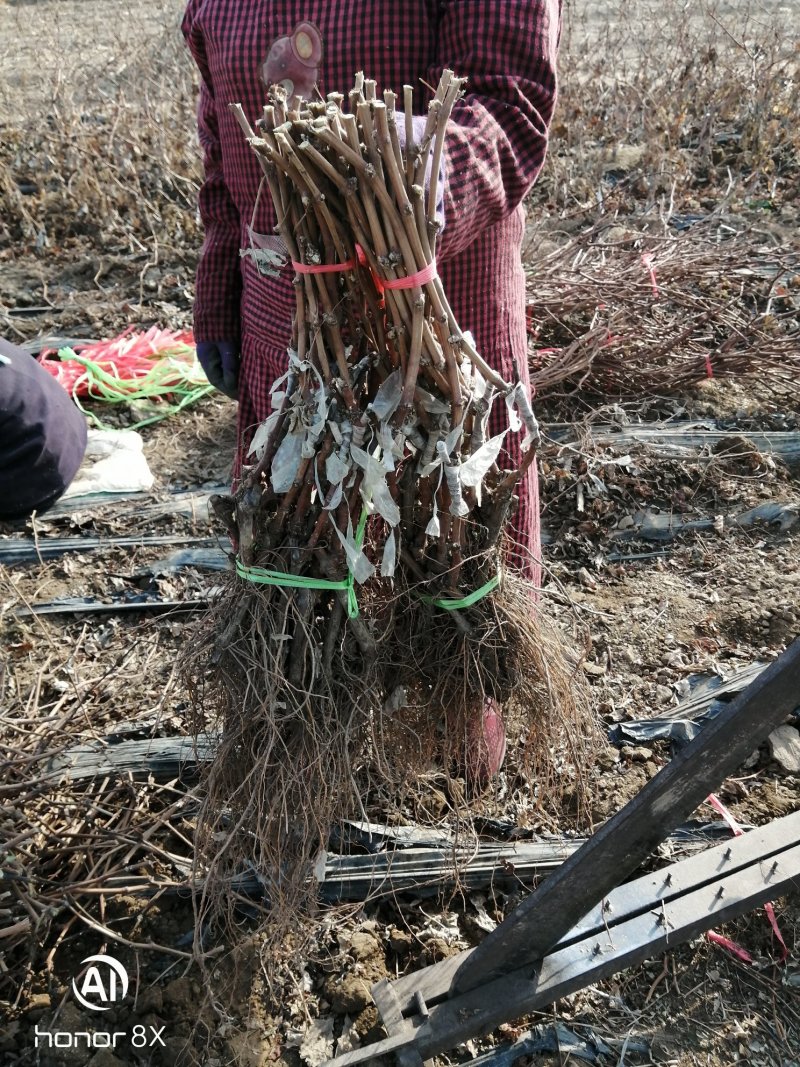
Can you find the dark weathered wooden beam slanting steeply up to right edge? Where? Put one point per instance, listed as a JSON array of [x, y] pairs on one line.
[[626, 840]]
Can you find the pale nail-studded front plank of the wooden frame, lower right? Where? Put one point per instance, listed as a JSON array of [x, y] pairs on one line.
[[567, 970]]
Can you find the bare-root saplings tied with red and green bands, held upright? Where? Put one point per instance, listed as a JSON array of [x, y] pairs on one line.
[[372, 616]]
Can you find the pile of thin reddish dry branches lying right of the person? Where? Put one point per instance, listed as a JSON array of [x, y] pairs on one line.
[[647, 316]]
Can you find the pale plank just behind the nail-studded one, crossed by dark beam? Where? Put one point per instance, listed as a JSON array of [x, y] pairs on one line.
[[626, 903]]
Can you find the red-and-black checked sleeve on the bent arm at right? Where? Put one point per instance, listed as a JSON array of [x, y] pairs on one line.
[[498, 140]]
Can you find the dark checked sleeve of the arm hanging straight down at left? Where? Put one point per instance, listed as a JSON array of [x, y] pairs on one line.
[[218, 282]]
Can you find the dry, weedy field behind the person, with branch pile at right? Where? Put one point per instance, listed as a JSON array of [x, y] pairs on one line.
[[676, 134]]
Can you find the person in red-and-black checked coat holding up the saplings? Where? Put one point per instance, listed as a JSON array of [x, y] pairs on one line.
[[495, 147]]
